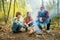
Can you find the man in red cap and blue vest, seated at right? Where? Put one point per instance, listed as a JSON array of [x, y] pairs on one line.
[[43, 18]]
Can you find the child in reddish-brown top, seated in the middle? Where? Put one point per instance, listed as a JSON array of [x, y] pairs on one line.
[[28, 21]]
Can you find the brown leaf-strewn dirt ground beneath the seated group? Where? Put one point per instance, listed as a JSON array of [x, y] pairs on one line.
[[6, 34]]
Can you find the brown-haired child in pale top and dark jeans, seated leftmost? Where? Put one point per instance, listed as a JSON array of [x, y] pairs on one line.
[[17, 23]]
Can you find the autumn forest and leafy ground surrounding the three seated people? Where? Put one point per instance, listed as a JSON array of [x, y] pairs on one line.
[[8, 9]]
